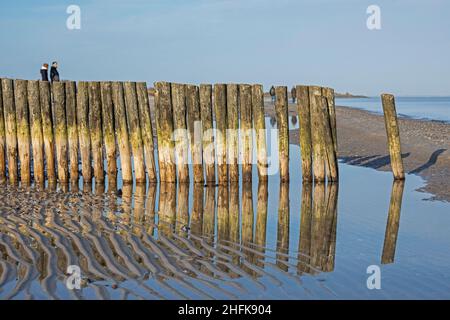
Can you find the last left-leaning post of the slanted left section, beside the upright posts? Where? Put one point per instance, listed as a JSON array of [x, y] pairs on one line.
[[146, 130]]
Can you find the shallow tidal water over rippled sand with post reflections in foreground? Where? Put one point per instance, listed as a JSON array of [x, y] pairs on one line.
[[252, 241]]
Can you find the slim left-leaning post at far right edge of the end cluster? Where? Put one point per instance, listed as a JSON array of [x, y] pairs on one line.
[[330, 153]]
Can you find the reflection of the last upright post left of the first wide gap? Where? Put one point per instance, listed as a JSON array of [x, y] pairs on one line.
[[261, 218]]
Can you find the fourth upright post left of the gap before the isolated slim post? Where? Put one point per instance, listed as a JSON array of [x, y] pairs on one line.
[[220, 114]]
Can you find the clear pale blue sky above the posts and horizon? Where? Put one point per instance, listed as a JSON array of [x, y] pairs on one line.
[[281, 42]]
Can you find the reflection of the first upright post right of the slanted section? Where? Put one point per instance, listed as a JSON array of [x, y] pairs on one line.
[[167, 207]]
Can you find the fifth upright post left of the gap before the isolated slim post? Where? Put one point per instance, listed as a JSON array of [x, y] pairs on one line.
[[208, 134]]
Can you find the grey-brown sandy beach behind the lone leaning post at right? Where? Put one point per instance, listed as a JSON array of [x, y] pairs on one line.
[[362, 142]]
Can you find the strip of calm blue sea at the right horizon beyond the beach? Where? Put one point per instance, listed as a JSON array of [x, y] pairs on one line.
[[432, 108]]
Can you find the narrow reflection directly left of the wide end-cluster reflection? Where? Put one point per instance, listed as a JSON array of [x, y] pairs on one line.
[[304, 245]]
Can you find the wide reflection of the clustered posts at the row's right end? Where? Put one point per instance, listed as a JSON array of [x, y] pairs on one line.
[[323, 227]]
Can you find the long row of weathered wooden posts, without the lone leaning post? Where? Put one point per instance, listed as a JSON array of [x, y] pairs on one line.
[[51, 127]]
